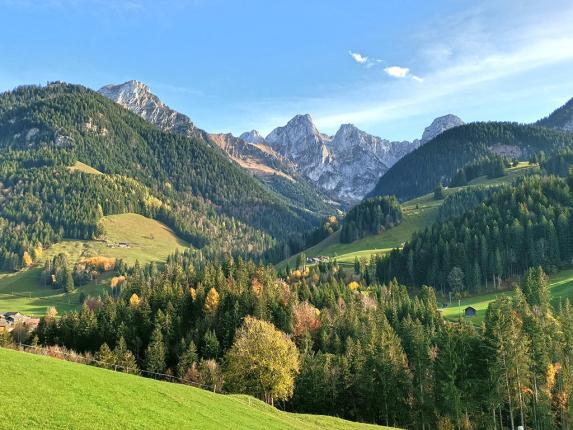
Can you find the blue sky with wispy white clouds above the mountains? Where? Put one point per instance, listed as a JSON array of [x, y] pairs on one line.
[[389, 67]]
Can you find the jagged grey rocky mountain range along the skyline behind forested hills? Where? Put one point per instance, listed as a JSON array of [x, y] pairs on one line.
[[344, 167]]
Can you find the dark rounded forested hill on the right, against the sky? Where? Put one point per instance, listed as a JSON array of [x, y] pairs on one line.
[[440, 159]]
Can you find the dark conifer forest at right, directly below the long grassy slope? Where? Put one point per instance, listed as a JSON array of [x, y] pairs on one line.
[[488, 235]]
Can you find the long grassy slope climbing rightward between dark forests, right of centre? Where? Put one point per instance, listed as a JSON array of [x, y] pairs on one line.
[[418, 214]]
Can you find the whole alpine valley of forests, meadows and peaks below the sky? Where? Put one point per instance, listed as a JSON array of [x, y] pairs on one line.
[[182, 277]]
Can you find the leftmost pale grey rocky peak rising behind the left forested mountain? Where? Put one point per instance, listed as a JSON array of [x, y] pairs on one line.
[[137, 97]]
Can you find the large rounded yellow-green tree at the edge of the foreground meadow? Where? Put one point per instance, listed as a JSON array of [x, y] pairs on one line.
[[263, 362]]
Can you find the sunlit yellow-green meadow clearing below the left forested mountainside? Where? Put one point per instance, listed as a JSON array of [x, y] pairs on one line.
[[148, 240]]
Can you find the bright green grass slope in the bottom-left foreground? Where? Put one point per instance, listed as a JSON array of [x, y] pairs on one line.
[[93, 398]]
